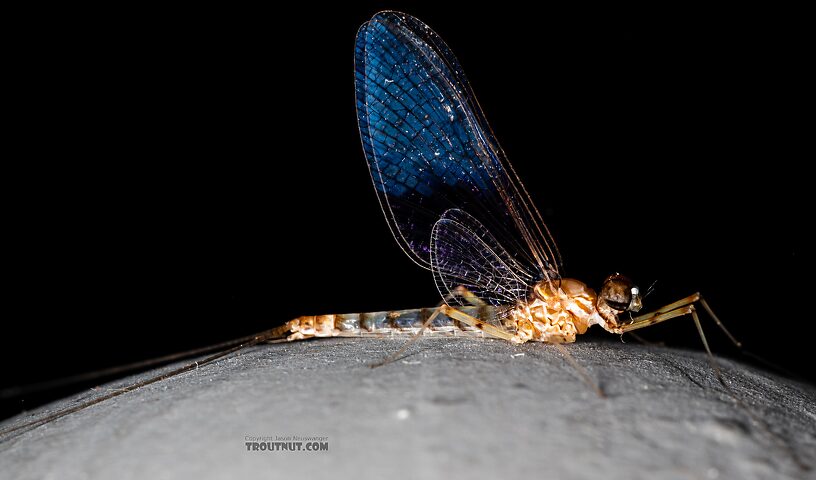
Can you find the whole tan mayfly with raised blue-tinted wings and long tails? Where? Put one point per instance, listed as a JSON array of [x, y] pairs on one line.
[[457, 208]]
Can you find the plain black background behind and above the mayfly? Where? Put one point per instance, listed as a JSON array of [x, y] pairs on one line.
[[177, 178]]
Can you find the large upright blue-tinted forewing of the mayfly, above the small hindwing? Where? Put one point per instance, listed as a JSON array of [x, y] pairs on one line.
[[429, 149]]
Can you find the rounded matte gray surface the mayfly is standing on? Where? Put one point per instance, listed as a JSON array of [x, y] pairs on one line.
[[466, 408]]
